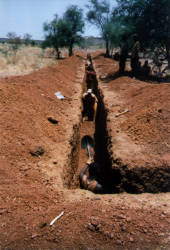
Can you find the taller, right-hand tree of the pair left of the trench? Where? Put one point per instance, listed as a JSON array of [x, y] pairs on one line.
[[72, 26]]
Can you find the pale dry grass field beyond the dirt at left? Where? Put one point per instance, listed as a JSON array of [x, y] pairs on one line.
[[23, 60]]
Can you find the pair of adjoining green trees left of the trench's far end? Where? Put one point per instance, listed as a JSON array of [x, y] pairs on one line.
[[65, 31]]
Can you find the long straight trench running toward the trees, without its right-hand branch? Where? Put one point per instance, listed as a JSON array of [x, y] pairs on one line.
[[97, 130]]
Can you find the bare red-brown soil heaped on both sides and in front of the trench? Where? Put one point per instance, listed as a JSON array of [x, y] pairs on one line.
[[40, 152]]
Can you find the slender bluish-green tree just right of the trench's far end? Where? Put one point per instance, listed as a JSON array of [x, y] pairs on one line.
[[99, 14]]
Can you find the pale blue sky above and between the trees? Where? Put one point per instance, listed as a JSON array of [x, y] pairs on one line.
[[28, 16]]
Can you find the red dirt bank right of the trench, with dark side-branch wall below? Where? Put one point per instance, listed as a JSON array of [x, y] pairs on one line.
[[138, 126]]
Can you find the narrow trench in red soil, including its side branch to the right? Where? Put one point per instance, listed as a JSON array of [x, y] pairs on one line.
[[112, 174]]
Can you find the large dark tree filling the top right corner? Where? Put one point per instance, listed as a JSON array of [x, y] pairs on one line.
[[150, 21]]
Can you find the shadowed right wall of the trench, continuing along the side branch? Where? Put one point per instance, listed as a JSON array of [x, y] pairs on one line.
[[116, 175]]
